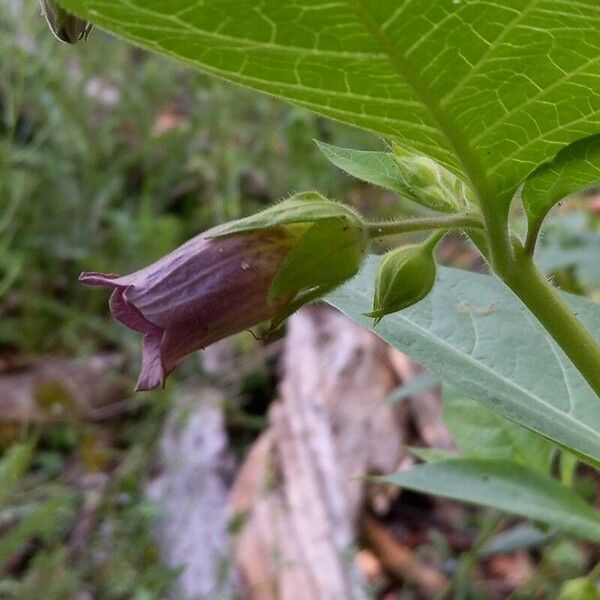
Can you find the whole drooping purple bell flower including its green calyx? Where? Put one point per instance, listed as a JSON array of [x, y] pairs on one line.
[[235, 276]]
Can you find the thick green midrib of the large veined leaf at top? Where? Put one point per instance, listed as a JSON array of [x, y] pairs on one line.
[[460, 146]]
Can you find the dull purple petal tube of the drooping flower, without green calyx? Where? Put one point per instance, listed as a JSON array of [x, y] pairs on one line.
[[205, 290]]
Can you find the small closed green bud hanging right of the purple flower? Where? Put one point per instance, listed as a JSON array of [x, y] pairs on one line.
[[405, 276]]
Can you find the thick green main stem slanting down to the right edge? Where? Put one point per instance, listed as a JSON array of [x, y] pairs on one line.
[[543, 300]]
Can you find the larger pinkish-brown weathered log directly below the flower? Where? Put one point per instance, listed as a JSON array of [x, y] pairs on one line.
[[297, 497]]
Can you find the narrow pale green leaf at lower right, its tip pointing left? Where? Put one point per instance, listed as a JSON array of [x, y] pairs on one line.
[[506, 486]]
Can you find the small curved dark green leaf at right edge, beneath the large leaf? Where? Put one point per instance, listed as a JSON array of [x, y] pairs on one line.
[[574, 169]]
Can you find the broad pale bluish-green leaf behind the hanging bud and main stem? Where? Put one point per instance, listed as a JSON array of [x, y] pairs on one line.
[[473, 333]]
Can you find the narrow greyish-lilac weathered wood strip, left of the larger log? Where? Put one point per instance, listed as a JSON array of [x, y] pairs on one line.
[[191, 493]]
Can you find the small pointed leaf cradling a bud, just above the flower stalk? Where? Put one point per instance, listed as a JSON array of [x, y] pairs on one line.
[[417, 178]]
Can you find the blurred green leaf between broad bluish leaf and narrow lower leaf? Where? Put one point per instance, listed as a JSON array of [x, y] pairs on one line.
[[482, 433]]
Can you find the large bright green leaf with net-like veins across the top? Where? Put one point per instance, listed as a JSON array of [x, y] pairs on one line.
[[489, 88]]
